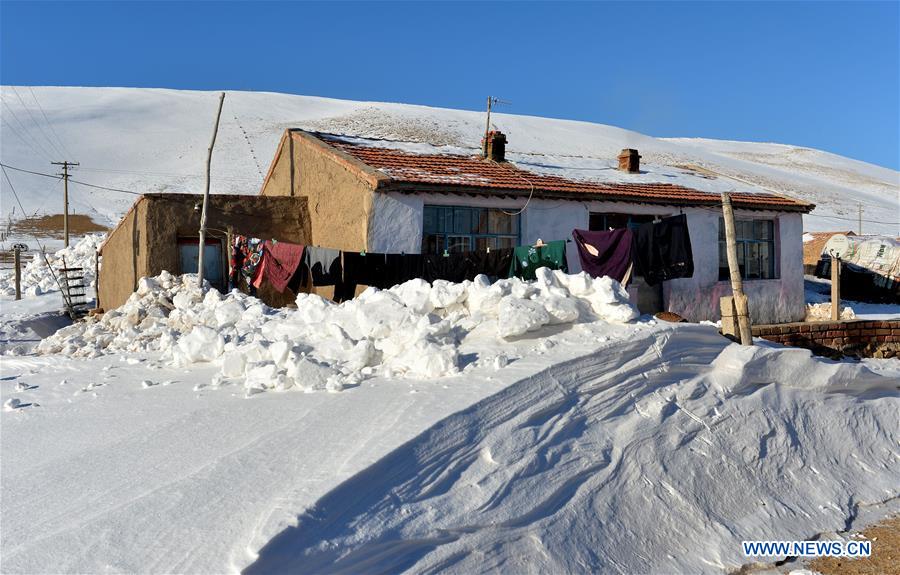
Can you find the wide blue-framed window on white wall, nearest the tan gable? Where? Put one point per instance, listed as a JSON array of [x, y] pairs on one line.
[[463, 229]]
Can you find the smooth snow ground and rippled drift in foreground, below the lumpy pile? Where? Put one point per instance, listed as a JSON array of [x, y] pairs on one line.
[[592, 446]]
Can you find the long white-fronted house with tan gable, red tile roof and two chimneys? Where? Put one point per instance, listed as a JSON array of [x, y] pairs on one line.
[[401, 197]]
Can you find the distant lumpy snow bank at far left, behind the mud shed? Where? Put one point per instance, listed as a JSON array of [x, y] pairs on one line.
[[36, 277]]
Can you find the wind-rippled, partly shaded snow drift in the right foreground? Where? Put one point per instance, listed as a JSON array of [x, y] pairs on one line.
[[659, 454]]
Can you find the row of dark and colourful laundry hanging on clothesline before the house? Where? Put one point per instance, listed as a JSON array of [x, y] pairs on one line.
[[658, 251]]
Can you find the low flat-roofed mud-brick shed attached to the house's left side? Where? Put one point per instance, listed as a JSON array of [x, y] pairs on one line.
[[161, 232]]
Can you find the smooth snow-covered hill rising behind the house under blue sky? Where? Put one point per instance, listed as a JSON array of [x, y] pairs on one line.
[[155, 140]]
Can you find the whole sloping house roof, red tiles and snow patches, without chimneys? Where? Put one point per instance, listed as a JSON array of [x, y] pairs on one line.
[[420, 163]]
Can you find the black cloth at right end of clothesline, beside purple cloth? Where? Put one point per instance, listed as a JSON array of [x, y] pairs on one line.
[[662, 250]]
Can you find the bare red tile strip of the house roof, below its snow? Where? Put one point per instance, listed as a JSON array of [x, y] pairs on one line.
[[473, 174]]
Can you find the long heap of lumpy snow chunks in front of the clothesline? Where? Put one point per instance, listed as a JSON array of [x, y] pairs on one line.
[[411, 329]]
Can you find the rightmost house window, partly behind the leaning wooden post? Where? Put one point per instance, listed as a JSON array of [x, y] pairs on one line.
[[755, 246]]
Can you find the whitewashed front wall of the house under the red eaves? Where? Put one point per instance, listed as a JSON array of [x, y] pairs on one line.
[[395, 226]]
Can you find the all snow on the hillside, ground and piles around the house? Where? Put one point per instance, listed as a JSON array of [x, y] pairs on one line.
[[516, 427]]
